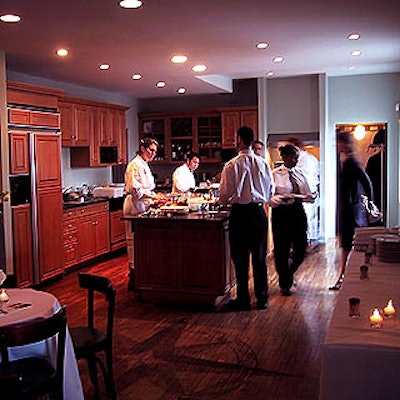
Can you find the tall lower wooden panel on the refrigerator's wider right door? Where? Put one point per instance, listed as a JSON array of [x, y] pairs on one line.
[[49, 226]]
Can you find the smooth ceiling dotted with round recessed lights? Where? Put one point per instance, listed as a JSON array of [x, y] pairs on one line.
[[311, 35]]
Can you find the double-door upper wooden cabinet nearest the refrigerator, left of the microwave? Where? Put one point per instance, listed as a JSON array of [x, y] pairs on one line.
[[75, 124]]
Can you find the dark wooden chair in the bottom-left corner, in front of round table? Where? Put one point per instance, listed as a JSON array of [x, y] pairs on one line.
[[32, 377]]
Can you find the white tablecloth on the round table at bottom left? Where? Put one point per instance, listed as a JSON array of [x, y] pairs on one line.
[[42, 305]]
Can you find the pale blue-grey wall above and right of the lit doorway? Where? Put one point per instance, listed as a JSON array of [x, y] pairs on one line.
[[370, 99]]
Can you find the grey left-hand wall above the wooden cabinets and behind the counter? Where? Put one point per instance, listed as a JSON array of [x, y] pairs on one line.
[[91, 176]]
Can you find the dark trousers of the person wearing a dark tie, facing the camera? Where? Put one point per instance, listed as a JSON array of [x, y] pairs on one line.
[[289, 231]]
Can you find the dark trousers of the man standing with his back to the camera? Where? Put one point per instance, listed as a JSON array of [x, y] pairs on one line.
[[247, 235]]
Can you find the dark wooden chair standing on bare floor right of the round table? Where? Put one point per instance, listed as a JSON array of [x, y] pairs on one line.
[[90, 341]]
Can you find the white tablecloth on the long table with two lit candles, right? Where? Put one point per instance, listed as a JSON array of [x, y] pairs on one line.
[[359, 362]]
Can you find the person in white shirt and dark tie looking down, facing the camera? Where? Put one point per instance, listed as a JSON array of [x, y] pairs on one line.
[[289, 221]]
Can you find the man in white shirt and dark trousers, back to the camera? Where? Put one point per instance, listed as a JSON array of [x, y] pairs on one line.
[[247, 184]]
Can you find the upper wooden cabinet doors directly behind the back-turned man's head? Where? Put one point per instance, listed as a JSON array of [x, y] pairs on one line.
[[233, 119]]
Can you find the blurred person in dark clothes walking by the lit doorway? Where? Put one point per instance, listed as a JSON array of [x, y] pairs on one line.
[[353, 182]]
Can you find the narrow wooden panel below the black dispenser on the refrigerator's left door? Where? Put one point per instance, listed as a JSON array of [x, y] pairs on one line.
[[22, 232]]
